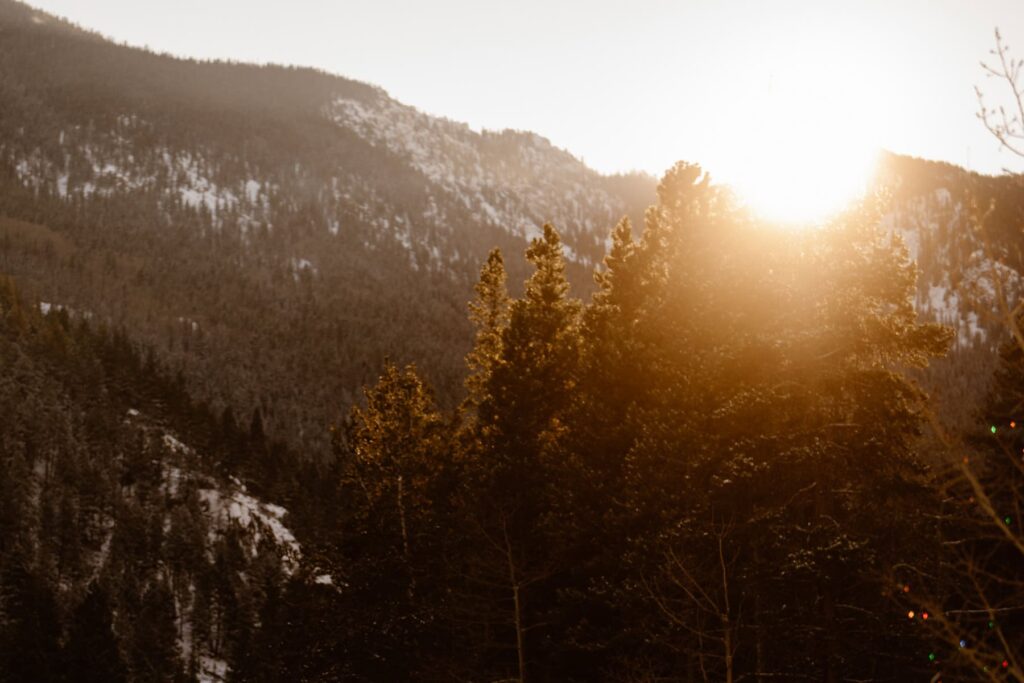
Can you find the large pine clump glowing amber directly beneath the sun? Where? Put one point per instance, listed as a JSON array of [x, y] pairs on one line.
[[746, 400]]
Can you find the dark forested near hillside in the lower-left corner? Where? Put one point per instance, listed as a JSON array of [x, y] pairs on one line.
[[127, 551]]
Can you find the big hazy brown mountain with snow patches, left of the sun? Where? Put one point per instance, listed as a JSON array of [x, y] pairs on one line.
[[275, 232]]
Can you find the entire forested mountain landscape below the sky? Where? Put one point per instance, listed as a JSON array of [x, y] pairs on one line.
[[250, 430]]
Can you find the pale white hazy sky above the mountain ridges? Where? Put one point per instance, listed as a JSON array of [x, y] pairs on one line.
[[631, 84]]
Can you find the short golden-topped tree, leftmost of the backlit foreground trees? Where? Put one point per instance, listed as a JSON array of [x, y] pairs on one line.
[[398, 481]]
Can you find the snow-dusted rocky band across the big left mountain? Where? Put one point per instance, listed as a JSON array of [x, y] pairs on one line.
[[509, 182]]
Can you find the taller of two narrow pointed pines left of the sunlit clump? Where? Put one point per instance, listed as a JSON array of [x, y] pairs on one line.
[[521, 418]]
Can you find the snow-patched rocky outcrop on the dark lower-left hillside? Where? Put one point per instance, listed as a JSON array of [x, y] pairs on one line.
[[210, 527]]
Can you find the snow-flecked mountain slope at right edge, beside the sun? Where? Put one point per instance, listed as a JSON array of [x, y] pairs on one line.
[[966, 233]]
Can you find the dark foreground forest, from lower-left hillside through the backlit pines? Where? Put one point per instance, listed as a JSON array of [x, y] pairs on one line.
[[711, 471]]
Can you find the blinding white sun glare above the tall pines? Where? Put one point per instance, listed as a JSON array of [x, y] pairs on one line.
[[804, 156]]
